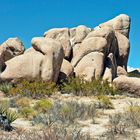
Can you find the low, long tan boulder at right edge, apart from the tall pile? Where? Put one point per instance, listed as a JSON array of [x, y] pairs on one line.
[[128, 85]]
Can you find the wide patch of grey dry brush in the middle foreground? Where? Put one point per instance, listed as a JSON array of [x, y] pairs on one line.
[[67, 112]]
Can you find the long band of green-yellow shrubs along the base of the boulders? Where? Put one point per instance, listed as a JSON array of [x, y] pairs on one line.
[[76, 86]]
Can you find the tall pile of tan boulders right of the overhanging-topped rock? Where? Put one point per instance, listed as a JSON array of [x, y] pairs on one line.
[[95, 53]]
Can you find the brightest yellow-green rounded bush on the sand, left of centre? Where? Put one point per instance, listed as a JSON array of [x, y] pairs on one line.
[[43, 105]]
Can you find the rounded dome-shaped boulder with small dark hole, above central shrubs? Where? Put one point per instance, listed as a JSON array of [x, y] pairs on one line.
[[90, 66]]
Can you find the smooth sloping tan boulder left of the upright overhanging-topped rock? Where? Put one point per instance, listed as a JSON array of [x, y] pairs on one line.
[[27, 66]]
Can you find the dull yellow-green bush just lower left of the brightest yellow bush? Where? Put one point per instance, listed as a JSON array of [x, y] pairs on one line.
[[27, 112]]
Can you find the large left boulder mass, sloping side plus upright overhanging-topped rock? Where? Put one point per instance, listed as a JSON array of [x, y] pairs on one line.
[[43, 62]]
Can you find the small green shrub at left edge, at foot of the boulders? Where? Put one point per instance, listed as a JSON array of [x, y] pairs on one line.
[[5, 87]]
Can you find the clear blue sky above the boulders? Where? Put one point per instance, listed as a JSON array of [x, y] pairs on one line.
[[29, 18]]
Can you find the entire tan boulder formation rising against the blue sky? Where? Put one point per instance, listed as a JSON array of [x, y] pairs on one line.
[[101, 52]]
